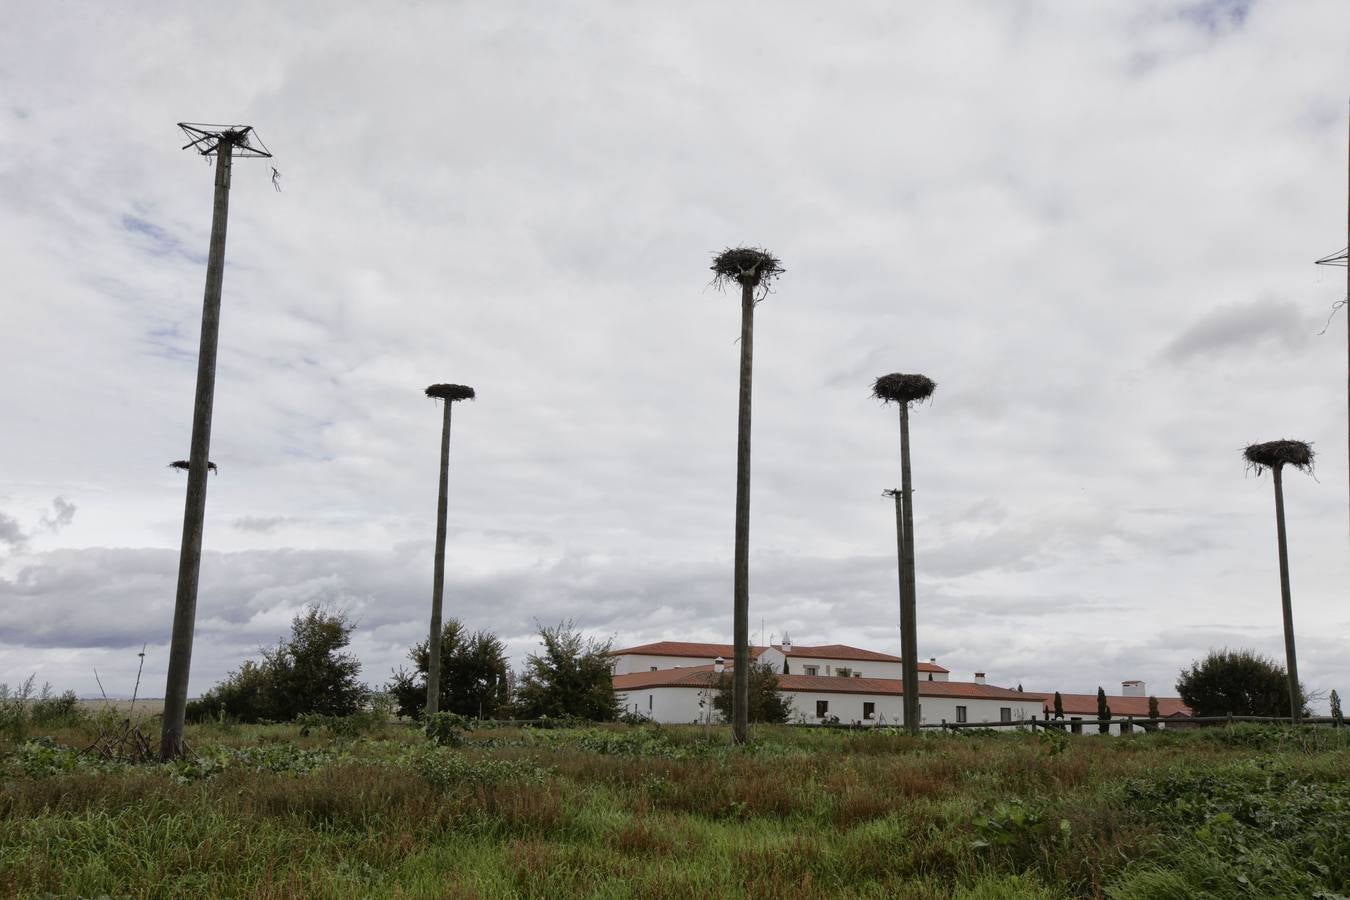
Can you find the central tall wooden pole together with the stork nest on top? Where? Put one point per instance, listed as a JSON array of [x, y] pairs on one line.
[[754, 271]]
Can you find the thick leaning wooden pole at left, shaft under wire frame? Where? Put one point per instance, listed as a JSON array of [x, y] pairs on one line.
[[195, 508]]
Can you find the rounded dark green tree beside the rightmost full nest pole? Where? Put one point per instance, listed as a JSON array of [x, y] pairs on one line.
[[1237, 683]]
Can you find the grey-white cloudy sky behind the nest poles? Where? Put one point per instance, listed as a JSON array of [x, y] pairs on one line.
[[1093, 225]]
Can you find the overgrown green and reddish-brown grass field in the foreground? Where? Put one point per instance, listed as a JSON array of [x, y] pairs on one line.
[[668, 813]]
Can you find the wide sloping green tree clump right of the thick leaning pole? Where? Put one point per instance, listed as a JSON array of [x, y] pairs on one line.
[[306, 674]]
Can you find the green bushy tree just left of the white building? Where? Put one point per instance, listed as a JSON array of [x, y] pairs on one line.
[[572, 678]]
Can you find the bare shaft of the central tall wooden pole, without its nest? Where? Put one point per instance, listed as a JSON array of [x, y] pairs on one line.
[[742, 578]]
